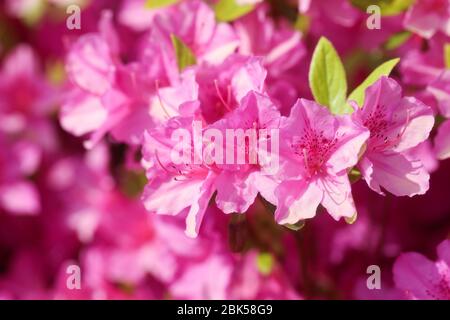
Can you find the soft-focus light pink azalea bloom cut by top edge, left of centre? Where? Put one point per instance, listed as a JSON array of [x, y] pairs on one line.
[[193, 21]]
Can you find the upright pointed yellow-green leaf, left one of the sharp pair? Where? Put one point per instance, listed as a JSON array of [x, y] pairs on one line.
[[327, 78]]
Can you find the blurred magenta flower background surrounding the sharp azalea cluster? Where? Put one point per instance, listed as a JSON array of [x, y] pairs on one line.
[[62, 204]]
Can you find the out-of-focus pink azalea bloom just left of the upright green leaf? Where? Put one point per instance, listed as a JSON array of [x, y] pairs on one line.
[[281, 50]]
